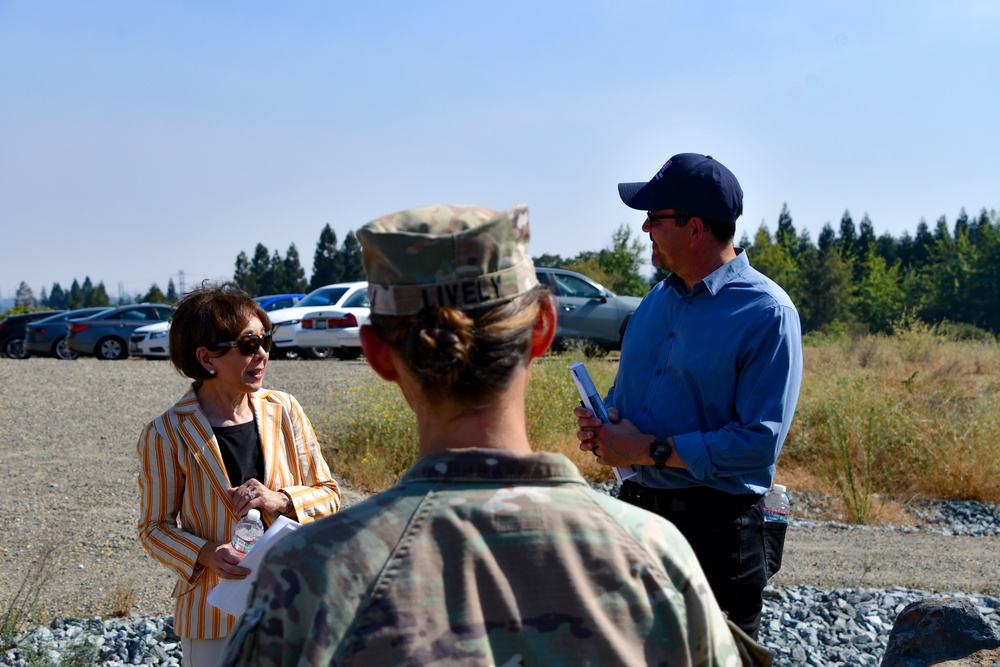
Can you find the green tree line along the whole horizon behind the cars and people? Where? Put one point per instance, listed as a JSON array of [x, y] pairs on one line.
[[848, 281]]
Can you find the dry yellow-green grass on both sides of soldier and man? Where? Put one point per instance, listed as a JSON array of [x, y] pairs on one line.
[[920, 415]]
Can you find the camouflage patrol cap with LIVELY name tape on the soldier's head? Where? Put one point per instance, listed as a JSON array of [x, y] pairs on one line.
[[453, 256]]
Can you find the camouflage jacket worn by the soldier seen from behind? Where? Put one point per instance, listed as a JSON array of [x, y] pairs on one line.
[[485, 557]]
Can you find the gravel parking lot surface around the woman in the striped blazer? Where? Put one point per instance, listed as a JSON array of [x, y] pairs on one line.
[[67, 435]]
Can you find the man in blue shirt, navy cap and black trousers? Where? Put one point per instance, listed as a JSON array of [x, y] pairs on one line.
[[710, 372]]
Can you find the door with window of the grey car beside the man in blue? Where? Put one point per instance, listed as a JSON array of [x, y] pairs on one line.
[[584, 310]]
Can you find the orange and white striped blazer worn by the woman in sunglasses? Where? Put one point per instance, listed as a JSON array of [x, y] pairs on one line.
[[182, 487]]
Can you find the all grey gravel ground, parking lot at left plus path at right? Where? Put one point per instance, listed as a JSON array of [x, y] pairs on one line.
[[69, 465]]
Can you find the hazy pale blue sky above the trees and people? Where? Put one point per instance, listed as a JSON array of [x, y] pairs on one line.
[[141, 139]]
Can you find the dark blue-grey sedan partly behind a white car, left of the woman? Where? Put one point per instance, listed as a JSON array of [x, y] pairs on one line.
[[106, 335]]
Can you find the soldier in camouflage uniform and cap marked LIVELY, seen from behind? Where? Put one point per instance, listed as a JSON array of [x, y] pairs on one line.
[[485, 553]]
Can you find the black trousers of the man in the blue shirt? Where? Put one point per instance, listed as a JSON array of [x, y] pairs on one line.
[[727, 535]]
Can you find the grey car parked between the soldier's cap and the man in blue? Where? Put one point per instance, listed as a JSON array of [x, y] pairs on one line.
[[588, 311]]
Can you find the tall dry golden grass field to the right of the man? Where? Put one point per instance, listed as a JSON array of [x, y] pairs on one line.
[[925, 407]]
